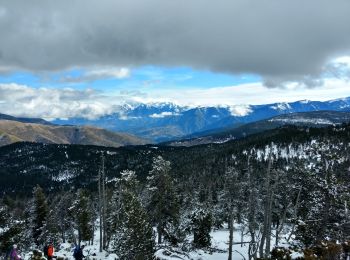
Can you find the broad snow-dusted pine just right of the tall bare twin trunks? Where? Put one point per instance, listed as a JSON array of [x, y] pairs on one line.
[[133, 234]]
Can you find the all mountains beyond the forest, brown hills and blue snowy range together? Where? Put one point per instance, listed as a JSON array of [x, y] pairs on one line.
[[172, 124]]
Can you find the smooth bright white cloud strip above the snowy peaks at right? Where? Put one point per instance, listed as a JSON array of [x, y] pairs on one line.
[[250, 94]]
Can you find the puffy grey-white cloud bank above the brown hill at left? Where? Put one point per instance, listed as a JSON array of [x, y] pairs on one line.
[[21, 100]]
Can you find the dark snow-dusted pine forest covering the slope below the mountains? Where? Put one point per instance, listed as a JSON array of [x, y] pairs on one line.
[[278, 186]]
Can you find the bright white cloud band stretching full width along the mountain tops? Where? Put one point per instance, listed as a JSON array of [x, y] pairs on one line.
[[21, 100]]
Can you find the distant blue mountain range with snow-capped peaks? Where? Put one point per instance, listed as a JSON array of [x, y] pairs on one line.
[[166, 121]]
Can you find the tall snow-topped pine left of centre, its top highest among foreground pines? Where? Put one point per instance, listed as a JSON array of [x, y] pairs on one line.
[[163, 204]]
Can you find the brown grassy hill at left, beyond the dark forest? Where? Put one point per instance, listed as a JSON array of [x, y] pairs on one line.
[[12, 131]]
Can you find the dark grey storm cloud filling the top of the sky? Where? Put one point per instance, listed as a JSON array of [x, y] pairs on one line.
[[278, 39]]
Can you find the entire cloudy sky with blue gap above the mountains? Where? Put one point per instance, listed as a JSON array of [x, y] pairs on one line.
[[73, 58]]
